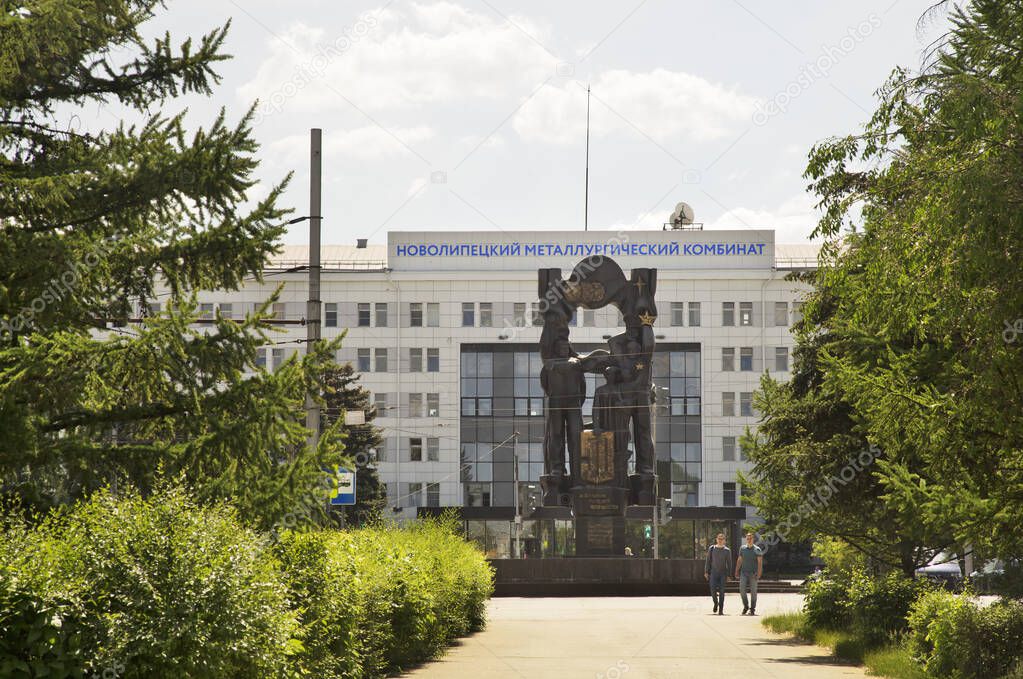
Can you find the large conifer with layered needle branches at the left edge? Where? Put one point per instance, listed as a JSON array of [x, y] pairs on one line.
[[92, 227]]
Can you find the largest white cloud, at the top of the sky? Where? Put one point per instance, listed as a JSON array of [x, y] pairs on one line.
[[401, 58]]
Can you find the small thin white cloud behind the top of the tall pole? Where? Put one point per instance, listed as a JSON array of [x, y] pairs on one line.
[[364, 144]]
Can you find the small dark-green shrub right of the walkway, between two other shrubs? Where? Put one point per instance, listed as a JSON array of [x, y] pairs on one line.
[[879, 607]]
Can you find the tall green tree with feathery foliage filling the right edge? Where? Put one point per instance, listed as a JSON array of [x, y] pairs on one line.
[[922, 296]]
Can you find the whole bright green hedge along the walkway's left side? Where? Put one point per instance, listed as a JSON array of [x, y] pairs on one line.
[[162, 587]]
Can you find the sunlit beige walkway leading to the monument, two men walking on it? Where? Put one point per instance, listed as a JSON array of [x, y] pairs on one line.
[[632, 639]]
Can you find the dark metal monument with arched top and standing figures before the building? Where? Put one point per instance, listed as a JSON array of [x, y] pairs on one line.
[[597, 484]]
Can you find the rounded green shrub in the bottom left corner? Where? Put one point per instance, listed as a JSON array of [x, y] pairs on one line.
[[157, 587]]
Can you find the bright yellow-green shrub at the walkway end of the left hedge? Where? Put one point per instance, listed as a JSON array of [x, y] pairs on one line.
[[380, 600]]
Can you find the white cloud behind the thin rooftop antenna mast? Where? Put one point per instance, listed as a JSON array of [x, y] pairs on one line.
[[663, 105]]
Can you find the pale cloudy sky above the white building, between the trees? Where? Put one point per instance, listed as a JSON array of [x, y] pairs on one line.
[[471, 115]]
